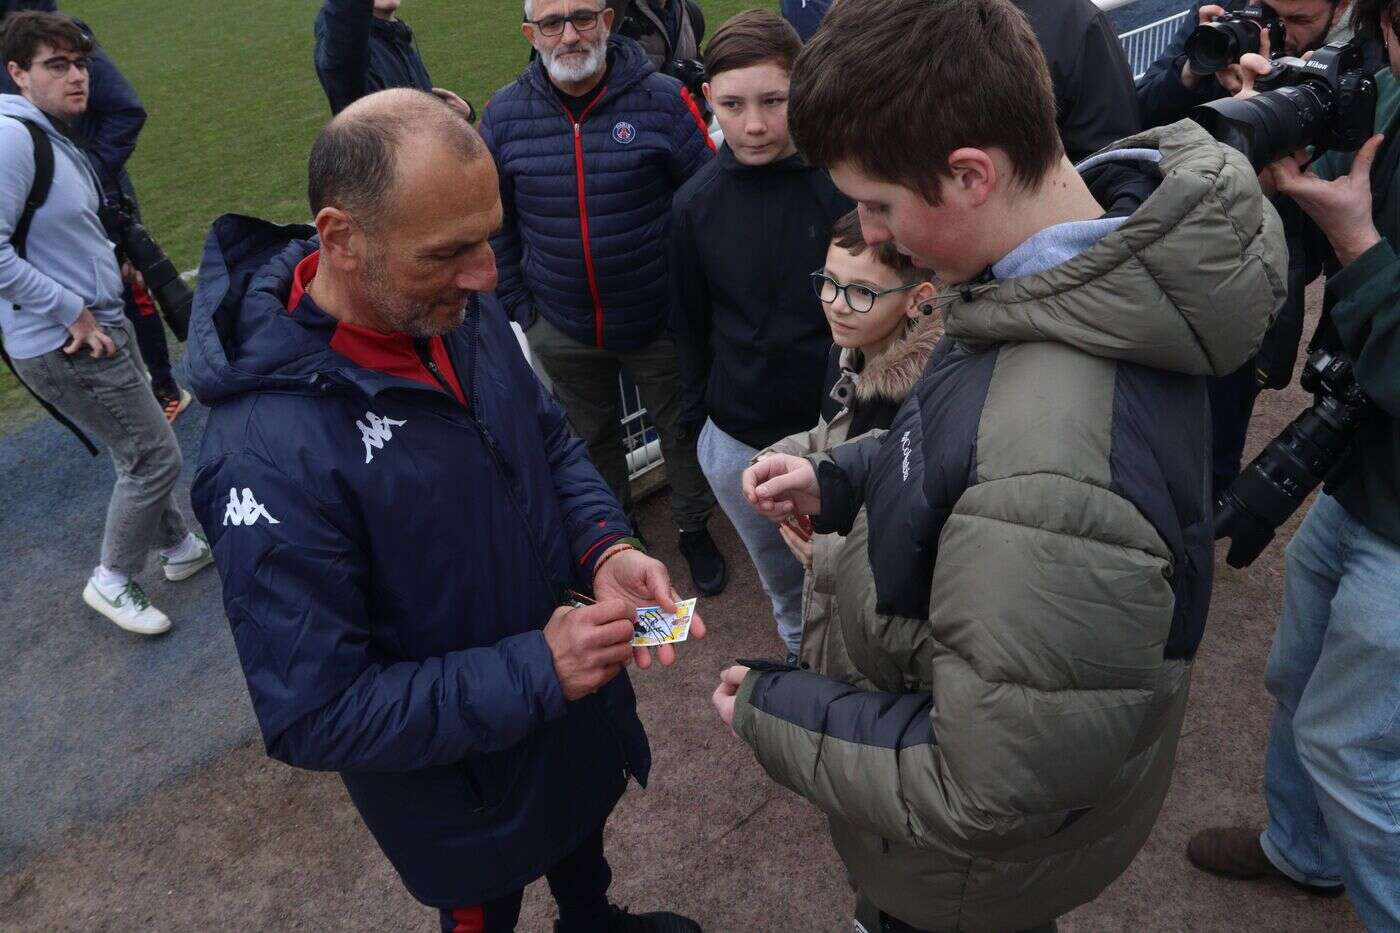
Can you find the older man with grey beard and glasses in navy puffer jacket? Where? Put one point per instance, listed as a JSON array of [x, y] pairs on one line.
[[591, 144]]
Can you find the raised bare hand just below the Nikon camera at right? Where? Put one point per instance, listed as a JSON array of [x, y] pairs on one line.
[[1342, 208]]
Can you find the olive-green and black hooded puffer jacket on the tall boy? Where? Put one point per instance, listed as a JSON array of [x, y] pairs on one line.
[[1038, 569]]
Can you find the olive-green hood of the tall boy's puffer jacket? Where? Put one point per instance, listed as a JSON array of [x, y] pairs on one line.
[[1189, 284]]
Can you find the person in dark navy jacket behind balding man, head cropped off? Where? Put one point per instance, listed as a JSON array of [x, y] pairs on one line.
[[365, 47]]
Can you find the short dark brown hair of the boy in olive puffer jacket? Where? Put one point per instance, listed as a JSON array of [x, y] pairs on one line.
[[895, 86]]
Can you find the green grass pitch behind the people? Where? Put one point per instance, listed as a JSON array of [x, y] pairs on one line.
[[234, 103]]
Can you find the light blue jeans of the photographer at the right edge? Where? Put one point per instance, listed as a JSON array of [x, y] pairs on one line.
[[1332, 774]]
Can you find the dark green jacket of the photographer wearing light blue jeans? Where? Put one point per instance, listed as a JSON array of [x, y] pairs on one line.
[[1364, 303]]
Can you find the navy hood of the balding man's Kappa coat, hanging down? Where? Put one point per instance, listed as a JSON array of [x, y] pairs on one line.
[[241, 337]]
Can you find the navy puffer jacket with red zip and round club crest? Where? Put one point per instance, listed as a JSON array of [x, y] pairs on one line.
[[587, 198]]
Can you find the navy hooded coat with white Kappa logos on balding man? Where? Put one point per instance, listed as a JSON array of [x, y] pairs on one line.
[[390, 558]]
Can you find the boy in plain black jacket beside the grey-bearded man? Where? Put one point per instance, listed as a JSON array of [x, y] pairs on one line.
[[747, 233]]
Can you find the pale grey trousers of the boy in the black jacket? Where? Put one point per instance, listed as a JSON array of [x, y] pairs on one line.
[[723, 459]]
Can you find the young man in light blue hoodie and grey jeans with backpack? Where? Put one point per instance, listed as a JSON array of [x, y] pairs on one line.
[[61, 316]]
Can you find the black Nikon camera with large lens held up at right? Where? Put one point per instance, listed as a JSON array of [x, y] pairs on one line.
[[1328, 102]]
